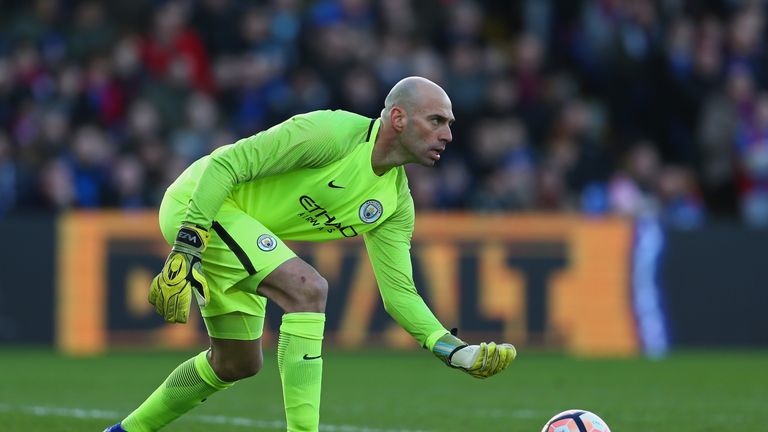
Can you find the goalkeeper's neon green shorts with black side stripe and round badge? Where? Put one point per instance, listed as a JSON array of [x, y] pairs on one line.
[[241, 252]]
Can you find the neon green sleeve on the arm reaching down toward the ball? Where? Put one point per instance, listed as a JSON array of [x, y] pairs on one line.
[[389, 250]]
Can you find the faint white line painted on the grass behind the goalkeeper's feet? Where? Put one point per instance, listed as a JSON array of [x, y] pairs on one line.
[[42, 411]]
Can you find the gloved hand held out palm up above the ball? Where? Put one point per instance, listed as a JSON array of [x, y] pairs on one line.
[[480, 361]]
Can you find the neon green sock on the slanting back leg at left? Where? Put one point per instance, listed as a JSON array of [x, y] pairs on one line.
[[185, 388]]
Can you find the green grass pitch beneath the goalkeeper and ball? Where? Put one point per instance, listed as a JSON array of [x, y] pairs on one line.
[[387, 391]]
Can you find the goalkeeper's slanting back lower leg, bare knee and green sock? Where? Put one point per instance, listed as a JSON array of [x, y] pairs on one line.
[[194, 381]]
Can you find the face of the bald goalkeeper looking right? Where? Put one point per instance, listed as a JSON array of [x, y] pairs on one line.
[[428, 130]]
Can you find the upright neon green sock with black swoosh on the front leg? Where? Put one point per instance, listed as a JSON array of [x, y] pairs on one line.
[[301, 368]]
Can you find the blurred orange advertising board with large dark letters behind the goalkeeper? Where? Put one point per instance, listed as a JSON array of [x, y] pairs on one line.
[[486, 274]]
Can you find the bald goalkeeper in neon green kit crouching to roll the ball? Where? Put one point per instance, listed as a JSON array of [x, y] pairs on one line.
[[320, 176]]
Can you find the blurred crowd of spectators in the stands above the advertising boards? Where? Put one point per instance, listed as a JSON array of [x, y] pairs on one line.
[[634, 107]]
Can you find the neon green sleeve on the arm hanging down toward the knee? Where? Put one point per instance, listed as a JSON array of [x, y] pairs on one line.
[[306, 140]]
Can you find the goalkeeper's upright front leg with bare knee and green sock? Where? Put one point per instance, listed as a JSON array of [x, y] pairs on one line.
[[297, 288]]
